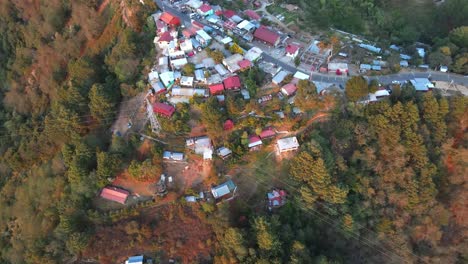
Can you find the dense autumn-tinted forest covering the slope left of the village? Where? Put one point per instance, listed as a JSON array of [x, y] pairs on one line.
[[64, 67]]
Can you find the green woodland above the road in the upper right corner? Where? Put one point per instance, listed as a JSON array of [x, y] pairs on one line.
[[441, 24]]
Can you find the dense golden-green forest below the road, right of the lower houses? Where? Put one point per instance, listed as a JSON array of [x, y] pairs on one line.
[[378, 183]]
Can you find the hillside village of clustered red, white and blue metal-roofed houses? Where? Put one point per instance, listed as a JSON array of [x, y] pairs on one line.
[[213, 69]]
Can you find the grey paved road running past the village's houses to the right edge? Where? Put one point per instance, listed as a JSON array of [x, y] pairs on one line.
[[331, 78]]
